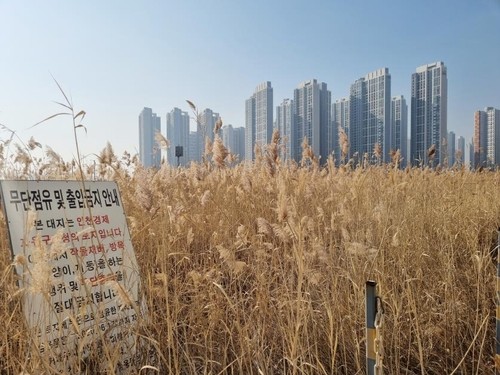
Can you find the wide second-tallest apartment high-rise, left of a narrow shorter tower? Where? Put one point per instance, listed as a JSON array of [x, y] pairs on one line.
[[370, 115]]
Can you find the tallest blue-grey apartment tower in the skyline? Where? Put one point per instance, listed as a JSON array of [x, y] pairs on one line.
[[429, 111]]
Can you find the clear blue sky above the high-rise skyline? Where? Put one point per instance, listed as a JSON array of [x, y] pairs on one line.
[[115, 57]]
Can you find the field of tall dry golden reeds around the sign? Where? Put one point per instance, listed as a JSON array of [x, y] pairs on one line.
[[260, 269]]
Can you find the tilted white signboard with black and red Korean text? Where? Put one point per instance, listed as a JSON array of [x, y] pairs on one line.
[[77, 268]]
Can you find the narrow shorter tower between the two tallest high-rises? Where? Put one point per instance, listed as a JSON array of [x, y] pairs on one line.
[[399, 127]]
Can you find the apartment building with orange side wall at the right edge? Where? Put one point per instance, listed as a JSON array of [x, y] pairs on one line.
[[487, 137]]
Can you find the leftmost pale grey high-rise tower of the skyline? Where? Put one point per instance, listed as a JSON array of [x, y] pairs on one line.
[[149, 149]]
